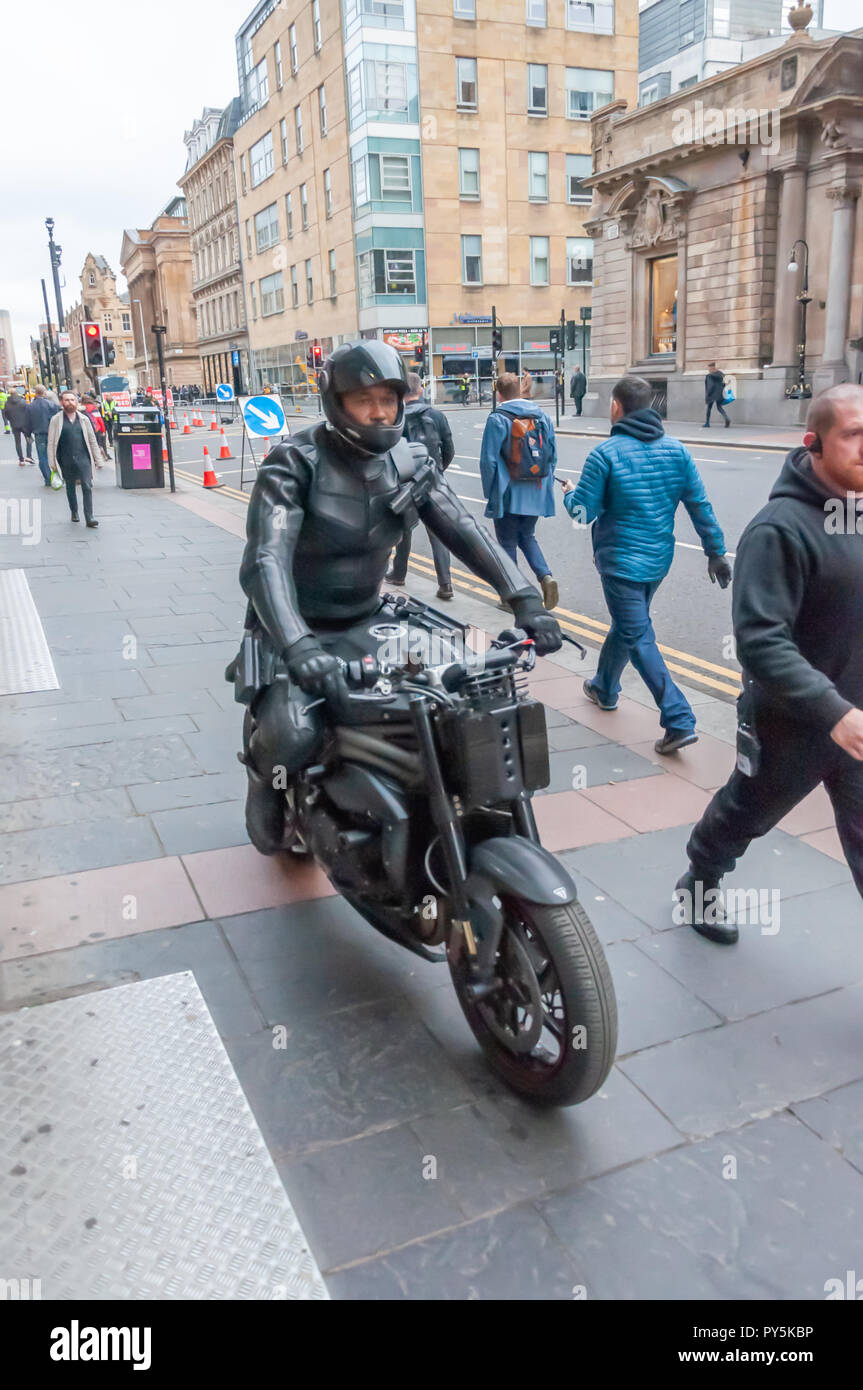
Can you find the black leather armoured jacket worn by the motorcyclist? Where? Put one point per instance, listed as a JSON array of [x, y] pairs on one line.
[[322, 528]]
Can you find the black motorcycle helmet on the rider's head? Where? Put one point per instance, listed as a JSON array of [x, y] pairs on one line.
[[354, 368]]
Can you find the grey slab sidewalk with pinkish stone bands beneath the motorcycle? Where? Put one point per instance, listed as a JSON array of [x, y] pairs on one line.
[[133, 906]]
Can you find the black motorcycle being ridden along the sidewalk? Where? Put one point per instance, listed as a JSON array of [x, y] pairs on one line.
[[420, 815]]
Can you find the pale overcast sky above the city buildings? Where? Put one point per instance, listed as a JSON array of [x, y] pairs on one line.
[[94, 113]]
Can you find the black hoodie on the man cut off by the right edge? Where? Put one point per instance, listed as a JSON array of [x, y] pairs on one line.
[[798, 600]]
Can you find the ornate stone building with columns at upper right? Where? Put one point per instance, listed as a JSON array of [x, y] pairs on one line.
[[716, 212]]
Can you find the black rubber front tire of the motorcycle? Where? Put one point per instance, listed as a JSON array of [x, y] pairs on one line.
[[566, 936]]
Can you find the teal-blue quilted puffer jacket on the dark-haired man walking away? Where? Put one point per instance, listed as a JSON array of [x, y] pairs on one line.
[[632, 487]]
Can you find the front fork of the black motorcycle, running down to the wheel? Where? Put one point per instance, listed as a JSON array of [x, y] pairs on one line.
[[469, 894]]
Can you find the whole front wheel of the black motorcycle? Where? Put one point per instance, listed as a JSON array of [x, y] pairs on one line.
[[551, 1027]]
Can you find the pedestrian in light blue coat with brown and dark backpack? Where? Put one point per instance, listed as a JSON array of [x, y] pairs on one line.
[[518, 464]]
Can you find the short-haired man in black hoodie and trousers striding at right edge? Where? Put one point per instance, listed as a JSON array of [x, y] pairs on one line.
[[798, 622]]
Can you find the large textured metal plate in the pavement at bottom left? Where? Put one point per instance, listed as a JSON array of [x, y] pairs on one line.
[[131, 1164]]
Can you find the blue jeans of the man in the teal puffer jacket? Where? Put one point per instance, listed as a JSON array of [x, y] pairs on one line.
[[632, 639]]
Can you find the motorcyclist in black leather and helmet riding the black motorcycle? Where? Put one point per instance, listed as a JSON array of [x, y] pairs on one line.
[[320, 530]]
